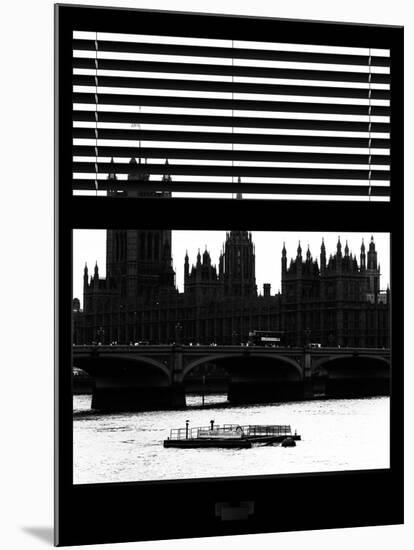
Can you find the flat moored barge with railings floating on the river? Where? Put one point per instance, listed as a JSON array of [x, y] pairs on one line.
[[229, 436]]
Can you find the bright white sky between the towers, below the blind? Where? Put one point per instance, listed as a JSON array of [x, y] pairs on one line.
[[89, 246]]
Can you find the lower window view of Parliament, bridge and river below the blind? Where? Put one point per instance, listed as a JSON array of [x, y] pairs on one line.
[[214, 353]]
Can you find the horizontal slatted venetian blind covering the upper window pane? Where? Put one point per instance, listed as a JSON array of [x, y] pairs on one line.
[[229, 118]]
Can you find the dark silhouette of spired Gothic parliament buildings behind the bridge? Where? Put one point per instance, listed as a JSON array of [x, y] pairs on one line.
[[335, 302]]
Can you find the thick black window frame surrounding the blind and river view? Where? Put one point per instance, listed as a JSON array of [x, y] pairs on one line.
[[116, 512]]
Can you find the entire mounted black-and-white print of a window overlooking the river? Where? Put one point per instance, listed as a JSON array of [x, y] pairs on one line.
[[229, 304]]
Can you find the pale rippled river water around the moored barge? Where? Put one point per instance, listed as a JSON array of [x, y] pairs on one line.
[[337, 435]]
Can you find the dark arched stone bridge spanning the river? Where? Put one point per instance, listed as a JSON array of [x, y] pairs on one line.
[[149, 377]]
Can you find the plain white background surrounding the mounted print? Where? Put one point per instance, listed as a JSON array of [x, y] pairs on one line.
[[26, 270]]
